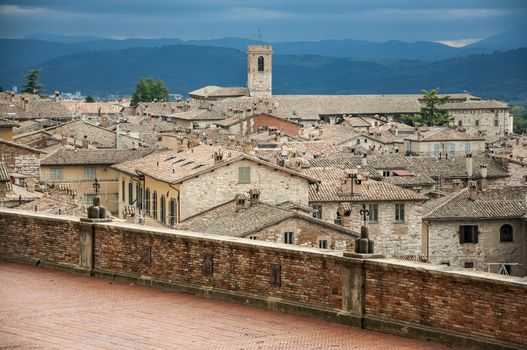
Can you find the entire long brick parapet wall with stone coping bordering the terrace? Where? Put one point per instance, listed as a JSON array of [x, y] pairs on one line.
[[429, 302]]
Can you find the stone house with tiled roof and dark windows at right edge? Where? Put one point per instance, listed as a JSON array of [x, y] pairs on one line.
[[483, 230]]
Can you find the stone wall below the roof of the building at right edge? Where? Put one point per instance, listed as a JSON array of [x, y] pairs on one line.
[[441, 240]]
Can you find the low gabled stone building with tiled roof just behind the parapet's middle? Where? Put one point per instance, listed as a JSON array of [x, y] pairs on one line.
[[245, 216]]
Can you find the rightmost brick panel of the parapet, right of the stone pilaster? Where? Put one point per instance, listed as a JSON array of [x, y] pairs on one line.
[[457, 302]]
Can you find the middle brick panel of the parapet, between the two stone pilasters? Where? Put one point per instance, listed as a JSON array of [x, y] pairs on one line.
[[306, 277]]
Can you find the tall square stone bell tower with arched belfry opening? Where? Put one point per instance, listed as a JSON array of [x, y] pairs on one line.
[[260, 70]]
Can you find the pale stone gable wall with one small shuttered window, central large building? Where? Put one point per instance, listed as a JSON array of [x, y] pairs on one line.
[[213, 188]]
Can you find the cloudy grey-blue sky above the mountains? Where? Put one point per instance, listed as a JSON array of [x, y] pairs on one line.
[[455, 22]]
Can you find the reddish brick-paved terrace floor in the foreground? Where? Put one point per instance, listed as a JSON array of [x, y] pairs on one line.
[[48, 309]]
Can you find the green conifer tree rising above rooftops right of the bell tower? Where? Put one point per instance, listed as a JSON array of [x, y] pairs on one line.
[[431, 114]]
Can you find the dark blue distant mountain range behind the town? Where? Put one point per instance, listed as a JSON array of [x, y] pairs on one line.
[[104, 66]]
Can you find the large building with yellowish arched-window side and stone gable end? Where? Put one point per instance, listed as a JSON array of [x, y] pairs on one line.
[[169, 186]]
